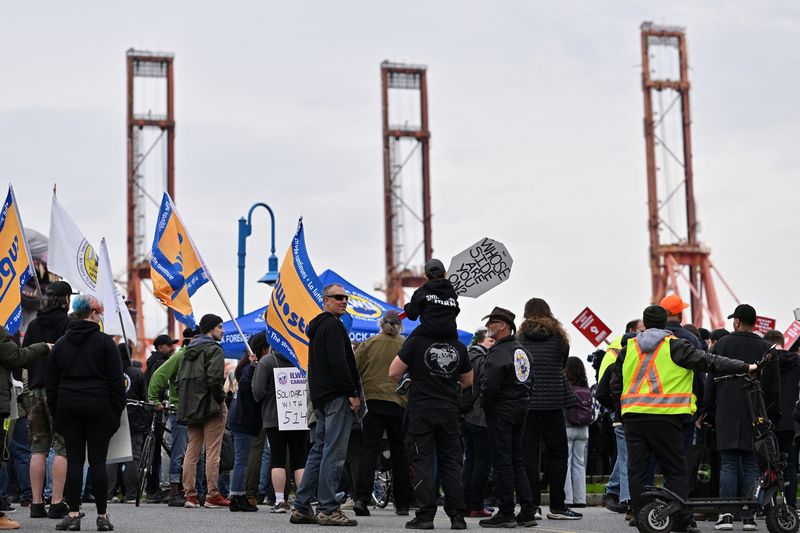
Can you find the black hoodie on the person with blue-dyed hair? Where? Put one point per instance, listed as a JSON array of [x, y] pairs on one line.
[[85, 366]]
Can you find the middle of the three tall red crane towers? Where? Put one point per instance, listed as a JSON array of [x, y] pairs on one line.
[[405, 138]]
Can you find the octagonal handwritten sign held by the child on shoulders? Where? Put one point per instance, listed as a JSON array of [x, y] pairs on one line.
[[481, 267]]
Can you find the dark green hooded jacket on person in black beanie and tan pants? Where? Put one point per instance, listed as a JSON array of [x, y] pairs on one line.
[[200, 380]]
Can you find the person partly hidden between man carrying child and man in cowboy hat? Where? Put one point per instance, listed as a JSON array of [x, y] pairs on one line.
[[477, 459]]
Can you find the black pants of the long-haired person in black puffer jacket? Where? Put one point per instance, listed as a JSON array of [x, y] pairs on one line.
[[547, 427]]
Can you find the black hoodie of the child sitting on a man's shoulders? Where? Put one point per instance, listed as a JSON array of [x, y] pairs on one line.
[[436, 306]]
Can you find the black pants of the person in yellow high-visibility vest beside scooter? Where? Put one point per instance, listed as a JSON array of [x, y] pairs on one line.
[[664, 440]]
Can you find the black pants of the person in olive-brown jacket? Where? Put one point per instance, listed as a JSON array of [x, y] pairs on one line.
[[374, 426]]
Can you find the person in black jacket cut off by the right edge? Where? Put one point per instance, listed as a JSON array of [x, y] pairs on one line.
[[789, 367]]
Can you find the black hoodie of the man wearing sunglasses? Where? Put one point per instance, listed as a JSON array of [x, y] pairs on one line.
[[332, 370]]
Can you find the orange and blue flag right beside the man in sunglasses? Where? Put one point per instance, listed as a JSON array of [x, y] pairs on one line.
[[296, 299]]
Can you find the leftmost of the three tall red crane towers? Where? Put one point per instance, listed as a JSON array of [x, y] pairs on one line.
[[148, 74]]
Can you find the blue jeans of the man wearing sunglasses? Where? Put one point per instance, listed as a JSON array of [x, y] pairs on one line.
[[326, 459]]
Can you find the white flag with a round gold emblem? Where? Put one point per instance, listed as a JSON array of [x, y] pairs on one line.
[[70, 255]]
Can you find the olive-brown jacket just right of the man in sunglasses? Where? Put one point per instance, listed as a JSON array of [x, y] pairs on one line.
[[373, 358]]
